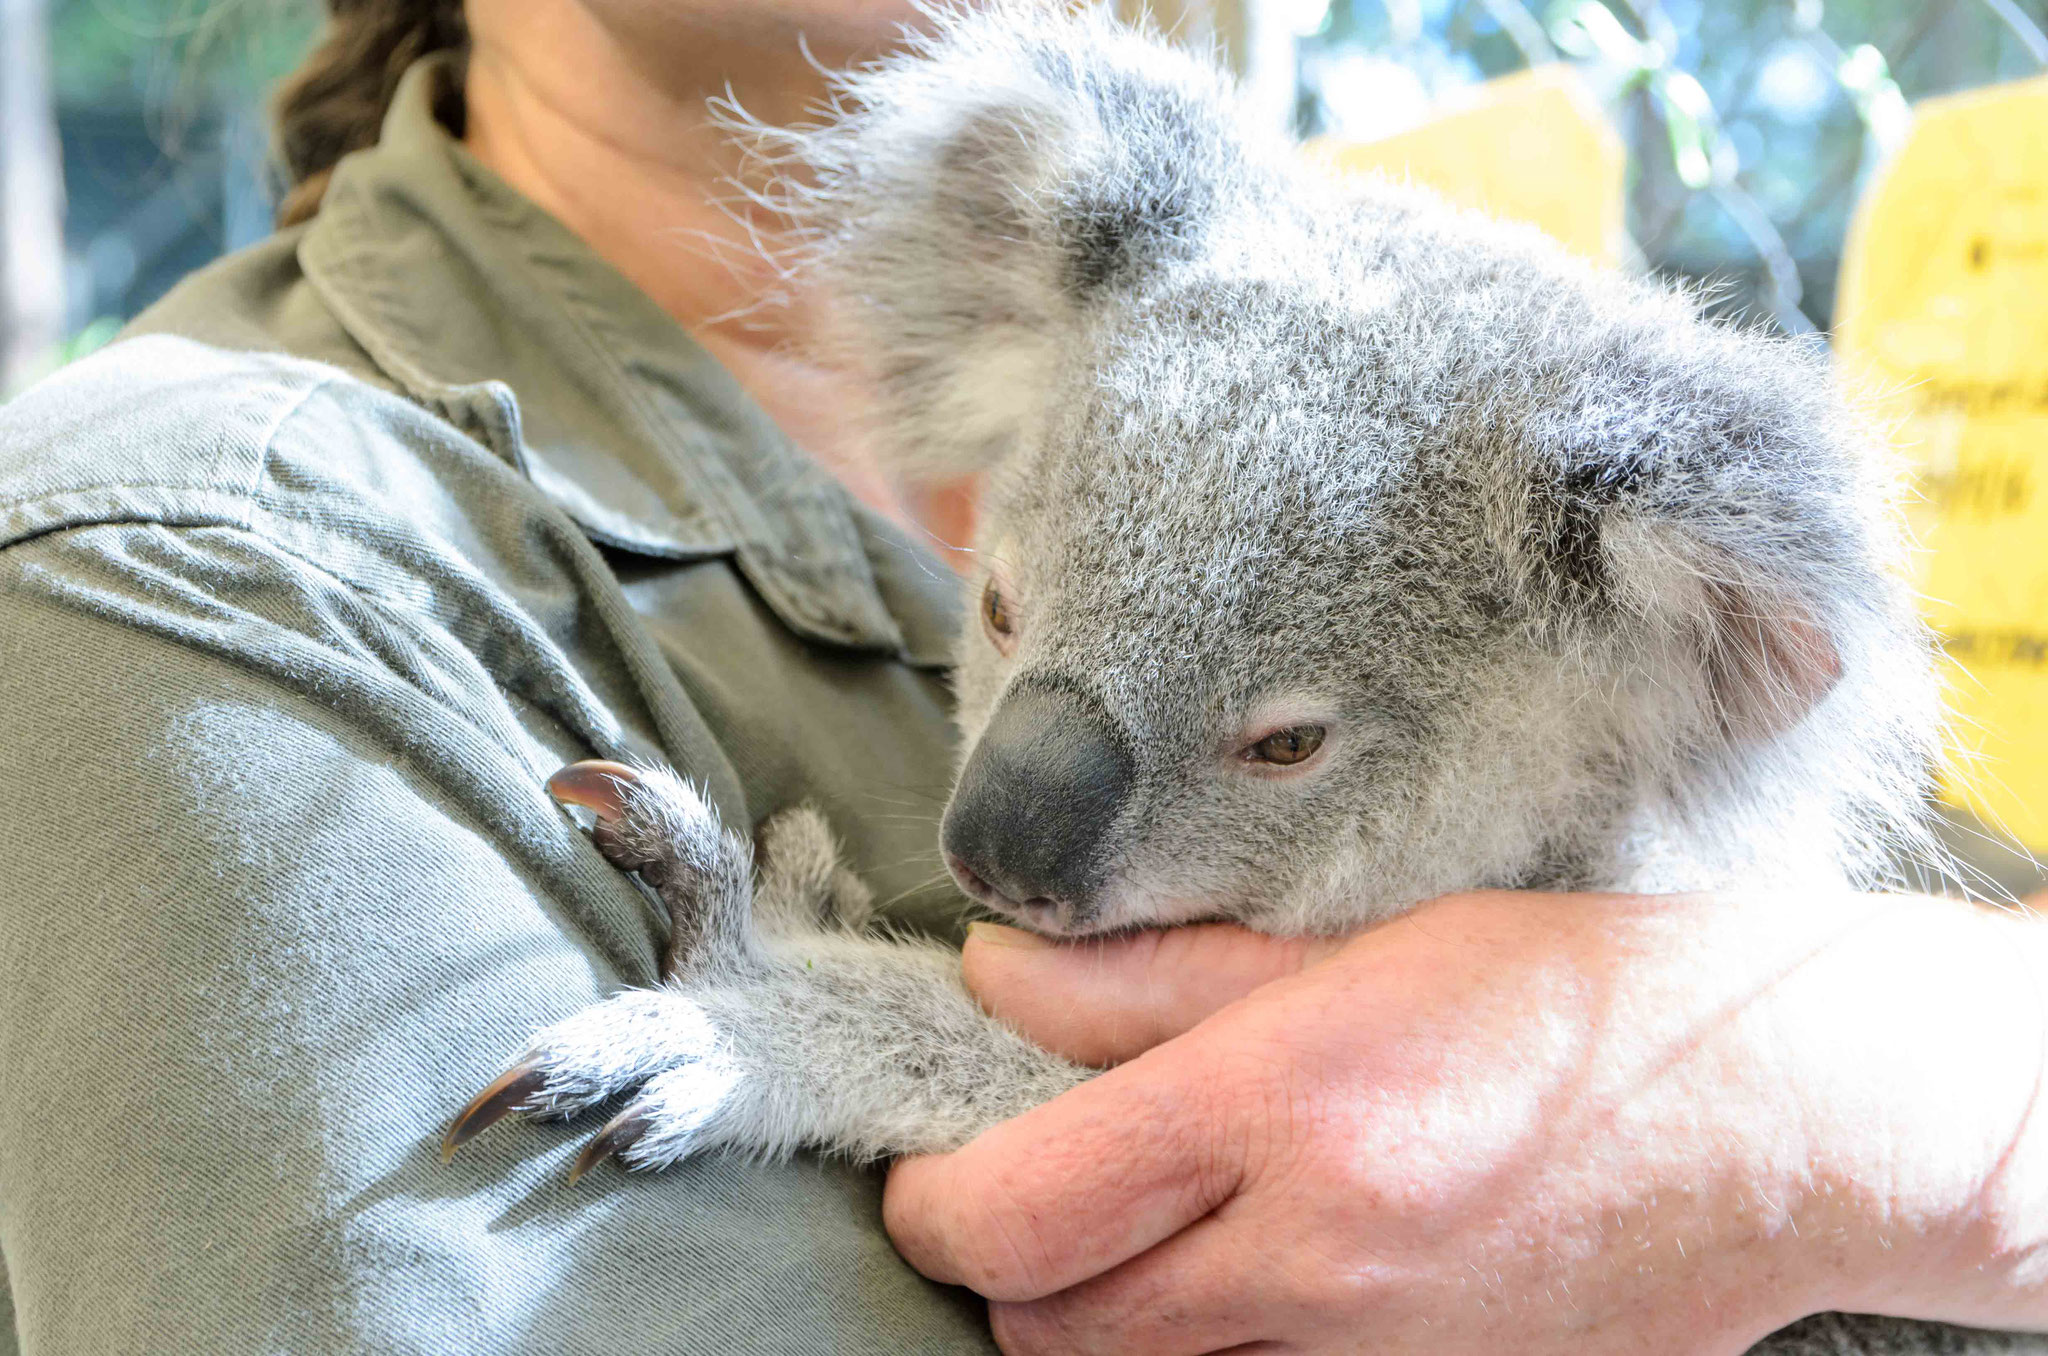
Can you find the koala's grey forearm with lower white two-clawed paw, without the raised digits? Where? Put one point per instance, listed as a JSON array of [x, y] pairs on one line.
[[820, 1040]]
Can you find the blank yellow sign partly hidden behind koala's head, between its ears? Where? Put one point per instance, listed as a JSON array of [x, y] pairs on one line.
[[1533, 146]]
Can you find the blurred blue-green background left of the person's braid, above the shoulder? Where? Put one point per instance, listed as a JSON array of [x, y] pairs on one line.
[[132, 151]]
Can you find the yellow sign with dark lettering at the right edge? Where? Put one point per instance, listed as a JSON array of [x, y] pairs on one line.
[[1945, 312]]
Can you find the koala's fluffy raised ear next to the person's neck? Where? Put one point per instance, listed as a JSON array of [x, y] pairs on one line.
[[980, 194]]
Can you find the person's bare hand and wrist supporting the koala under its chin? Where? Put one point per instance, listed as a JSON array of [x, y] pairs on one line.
[[1533, 1124]]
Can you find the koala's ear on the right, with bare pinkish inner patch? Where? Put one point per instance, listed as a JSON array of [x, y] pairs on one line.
[[1703, 560]]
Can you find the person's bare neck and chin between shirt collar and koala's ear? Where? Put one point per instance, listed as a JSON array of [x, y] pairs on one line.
[[601, 114]]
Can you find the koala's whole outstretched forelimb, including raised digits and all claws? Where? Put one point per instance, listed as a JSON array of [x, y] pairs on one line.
[[779, 1025]]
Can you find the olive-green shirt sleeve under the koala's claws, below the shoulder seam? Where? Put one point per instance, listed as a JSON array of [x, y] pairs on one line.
[[278, 900]]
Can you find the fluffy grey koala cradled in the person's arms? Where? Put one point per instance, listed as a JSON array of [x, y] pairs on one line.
[[1338, 550]]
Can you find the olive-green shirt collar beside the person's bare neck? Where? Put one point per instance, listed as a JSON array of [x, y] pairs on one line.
[[486, 308]]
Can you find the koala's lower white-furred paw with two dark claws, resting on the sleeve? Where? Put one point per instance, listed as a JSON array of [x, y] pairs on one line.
[[663, 1044]]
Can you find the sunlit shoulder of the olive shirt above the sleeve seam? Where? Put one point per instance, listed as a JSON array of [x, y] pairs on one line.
[[175, 431]]
